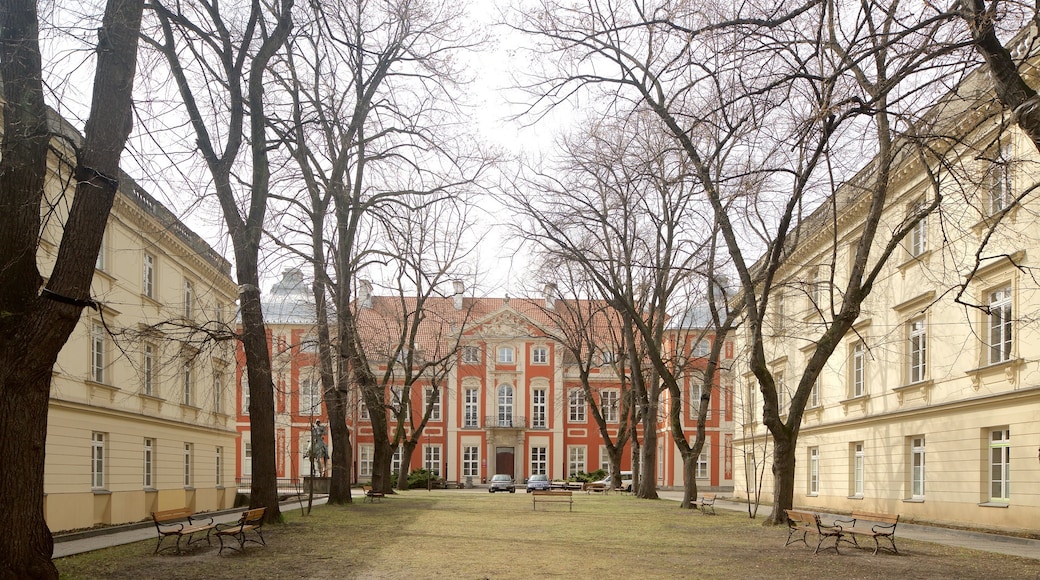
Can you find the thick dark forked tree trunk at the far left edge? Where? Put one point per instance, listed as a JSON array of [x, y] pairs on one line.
[[39, 317]]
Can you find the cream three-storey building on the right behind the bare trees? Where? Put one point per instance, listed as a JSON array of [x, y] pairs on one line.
[[930, 408]]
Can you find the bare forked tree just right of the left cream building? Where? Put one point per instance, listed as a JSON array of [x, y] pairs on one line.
[[219, 64]]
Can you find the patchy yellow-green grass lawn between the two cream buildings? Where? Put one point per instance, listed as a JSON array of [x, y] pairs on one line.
[[465, 535]]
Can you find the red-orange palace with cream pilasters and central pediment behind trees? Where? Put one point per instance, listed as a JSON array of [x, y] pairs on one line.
[[511, 404]]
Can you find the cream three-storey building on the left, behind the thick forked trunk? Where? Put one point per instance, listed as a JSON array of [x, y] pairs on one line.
[[140, 416]]
